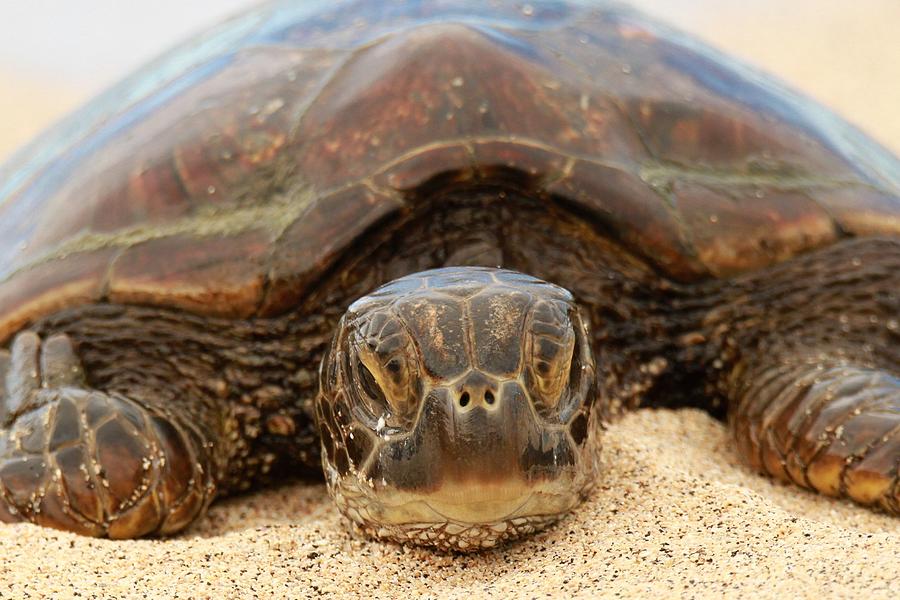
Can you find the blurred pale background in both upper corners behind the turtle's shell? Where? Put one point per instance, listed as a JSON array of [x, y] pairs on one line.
[[56, 54]]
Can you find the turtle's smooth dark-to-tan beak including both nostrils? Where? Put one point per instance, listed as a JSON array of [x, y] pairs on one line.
[[479, 454]]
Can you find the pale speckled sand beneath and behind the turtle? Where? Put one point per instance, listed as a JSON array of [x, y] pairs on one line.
[[675, 514]]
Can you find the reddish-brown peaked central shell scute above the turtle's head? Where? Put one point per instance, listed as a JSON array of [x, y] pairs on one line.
[[448, 82]]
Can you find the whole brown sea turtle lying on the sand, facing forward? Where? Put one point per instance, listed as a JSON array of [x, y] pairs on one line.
[[494, 226]]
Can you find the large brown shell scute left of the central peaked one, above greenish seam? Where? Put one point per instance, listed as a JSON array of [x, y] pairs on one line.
[[207, 149]]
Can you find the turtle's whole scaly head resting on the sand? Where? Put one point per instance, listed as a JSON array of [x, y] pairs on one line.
[[455, 408]]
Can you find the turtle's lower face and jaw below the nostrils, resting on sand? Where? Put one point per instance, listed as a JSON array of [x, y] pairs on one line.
[[467, 483]]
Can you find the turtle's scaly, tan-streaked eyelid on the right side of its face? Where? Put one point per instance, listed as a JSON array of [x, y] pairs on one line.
[[551, 351]]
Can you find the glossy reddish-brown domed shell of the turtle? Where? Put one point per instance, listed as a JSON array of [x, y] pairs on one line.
[[229, 174]]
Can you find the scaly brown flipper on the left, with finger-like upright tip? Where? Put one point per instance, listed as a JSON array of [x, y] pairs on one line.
[[92, 462]]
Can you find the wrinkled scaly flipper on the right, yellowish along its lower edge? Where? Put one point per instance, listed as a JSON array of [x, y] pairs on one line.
[[813, 372]]
